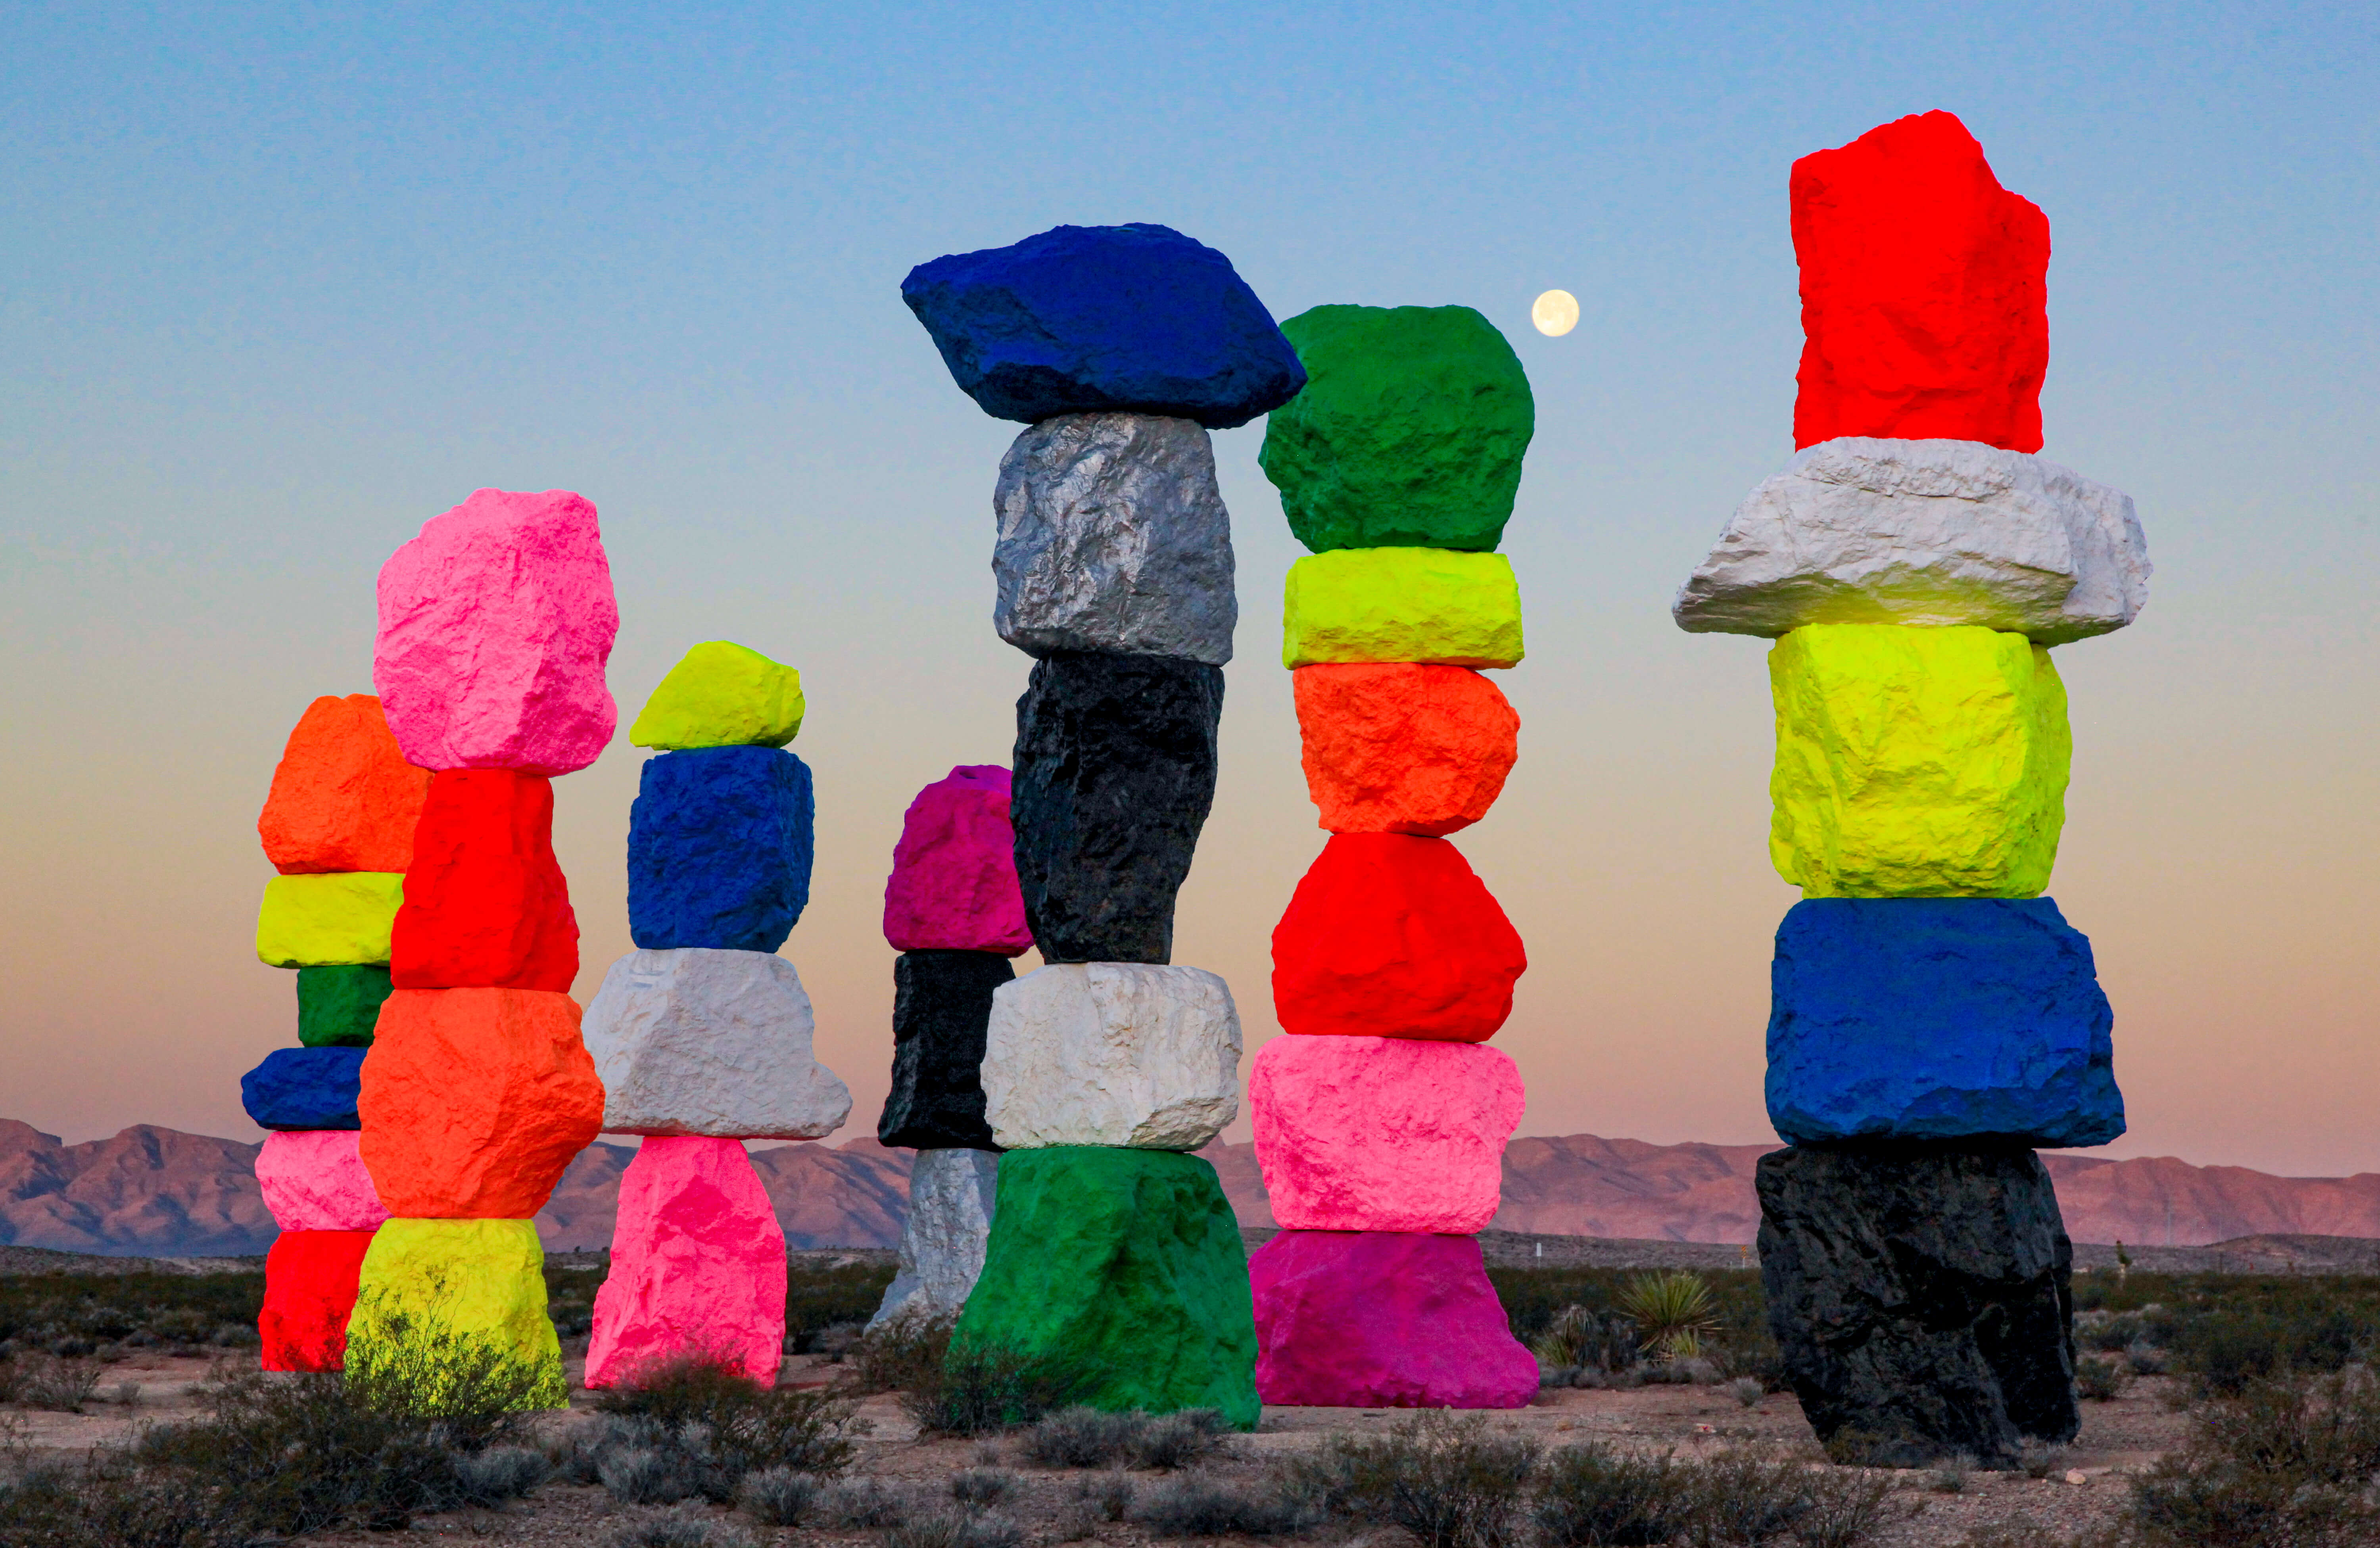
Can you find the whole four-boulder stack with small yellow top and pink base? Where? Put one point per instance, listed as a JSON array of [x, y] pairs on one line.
[[703, 1035]]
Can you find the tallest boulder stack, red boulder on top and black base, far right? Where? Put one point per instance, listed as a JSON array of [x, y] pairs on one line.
[[1934, 1016]]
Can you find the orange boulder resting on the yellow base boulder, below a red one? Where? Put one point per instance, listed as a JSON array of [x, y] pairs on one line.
[[475, 1101]]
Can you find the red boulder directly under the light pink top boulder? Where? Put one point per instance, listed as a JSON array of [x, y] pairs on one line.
[[484, 901]]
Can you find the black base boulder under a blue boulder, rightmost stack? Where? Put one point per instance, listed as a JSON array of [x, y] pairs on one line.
[[1922, 1299]]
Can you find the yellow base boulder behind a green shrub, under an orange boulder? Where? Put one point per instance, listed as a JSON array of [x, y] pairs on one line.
[[458, 1302]]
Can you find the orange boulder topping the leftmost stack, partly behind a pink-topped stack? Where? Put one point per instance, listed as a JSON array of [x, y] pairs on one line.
[[344, 797]]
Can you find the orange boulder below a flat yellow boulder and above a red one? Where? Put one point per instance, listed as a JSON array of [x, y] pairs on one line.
[[1403, 749]]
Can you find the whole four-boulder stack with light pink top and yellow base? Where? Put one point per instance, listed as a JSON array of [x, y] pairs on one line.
[[496, 628]]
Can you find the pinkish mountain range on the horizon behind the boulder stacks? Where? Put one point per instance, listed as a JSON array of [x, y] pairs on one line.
[[158, 1192]]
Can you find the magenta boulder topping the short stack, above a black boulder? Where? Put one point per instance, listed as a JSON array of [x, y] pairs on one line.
[[956, 868]]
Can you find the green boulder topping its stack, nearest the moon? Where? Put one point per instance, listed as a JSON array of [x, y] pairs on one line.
[[1410, 432]]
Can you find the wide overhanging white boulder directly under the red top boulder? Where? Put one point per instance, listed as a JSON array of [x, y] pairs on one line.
[[1924, 532]]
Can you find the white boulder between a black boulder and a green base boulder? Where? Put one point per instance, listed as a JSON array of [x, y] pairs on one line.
[[1113, 1054]]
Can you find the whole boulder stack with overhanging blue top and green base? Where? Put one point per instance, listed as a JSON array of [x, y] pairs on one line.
[[1120, 347]]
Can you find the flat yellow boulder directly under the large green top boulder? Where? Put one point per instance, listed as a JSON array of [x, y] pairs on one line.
[[1401, 606]]
